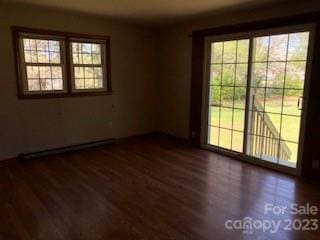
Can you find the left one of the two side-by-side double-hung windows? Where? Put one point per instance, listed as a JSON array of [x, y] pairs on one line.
[[42, 64]]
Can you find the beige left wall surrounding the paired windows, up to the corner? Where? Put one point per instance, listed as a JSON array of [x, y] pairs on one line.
[[33, 125]]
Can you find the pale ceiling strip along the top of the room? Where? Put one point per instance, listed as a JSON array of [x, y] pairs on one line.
[[153, 12]]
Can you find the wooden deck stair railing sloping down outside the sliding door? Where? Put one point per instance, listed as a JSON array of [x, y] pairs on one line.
[[265, 139]]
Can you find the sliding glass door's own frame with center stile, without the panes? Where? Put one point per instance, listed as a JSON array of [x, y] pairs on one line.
[[205, 101]]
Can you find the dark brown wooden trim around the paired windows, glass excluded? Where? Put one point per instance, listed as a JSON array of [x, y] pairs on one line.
[[68, 36]]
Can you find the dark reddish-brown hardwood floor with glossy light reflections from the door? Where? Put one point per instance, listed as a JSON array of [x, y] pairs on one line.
[[144, 188]]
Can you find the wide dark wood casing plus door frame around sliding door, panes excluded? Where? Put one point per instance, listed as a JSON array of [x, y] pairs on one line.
[[198, 124]]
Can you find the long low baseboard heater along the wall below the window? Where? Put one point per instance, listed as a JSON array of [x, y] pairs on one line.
[[72, 148]]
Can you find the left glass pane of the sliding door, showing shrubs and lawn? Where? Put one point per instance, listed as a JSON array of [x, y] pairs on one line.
[[227, 93]]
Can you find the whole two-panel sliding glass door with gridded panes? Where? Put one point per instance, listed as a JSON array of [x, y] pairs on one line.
[[256, 94]]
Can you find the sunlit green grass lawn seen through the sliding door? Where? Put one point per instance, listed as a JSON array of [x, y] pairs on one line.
[[234, 119]]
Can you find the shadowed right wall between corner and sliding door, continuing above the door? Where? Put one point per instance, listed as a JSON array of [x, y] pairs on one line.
[[175, 48]]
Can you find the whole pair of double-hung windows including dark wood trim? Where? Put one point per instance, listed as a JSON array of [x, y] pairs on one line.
[[55, 64]]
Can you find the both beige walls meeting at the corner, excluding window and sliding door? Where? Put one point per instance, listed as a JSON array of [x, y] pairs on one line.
[[150, 70]]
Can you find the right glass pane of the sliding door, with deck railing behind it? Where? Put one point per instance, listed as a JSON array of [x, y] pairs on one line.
[[276, 97]]
